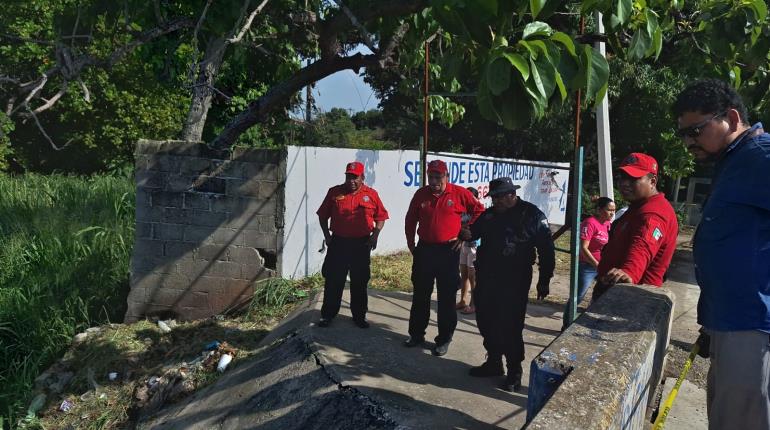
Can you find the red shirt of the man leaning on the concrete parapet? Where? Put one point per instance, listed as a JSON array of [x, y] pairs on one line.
[[642, 241]]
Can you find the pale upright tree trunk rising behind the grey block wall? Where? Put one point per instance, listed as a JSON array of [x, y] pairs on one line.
[[203, 91]]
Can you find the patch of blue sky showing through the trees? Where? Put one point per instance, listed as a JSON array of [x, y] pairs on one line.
[[345, 90]]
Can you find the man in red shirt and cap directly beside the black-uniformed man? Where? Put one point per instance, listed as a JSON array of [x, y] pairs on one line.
[[437, 208]]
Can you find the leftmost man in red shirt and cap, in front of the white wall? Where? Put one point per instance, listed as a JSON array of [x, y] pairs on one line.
[[357, 217]]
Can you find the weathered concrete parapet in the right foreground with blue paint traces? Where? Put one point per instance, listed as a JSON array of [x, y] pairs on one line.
[[601, 372]]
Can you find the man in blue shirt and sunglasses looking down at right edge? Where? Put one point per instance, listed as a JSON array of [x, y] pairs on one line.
[[732, 253]]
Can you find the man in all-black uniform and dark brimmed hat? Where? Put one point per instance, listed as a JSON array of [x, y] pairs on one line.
[[510, 232]]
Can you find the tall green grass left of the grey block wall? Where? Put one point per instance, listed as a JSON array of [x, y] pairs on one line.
[[65, 245]]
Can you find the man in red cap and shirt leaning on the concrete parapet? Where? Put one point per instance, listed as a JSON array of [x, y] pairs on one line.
[[643, 240]]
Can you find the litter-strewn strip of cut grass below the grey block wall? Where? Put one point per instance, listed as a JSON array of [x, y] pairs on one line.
[[152, 368]]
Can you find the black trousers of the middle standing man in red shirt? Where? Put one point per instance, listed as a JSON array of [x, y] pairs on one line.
[[440, 263]]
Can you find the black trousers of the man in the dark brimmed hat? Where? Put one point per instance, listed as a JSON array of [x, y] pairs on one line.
[[501, 297]]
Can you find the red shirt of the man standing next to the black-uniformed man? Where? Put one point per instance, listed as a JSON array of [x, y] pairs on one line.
[[439, 217]]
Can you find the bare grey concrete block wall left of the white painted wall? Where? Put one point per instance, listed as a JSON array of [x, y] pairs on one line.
[[208, 225]]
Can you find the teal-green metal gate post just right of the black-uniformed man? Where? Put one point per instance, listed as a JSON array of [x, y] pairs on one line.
[[577, 192]]
